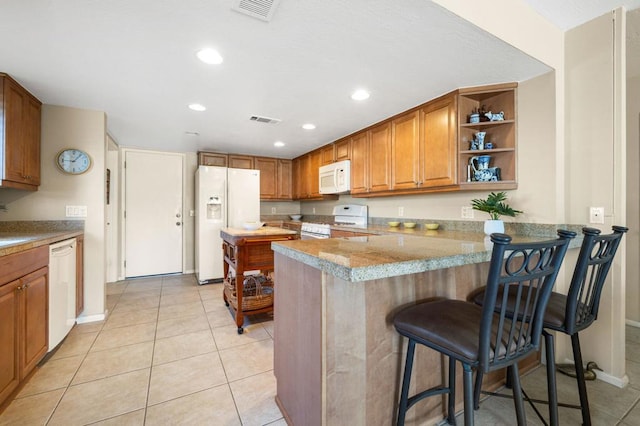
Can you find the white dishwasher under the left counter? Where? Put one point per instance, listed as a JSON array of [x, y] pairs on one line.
[[62, 290]]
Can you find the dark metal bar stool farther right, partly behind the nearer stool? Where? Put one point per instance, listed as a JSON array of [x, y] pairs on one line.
[[571, 313]]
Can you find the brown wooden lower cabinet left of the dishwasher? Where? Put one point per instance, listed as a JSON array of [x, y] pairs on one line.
[[24, 296]]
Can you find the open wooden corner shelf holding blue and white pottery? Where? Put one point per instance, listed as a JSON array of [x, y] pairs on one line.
[[481, 135]]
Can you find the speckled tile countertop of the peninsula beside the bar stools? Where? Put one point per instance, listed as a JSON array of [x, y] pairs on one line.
[[411, 251]]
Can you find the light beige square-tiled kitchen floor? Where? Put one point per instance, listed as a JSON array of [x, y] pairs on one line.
[[169, 354]]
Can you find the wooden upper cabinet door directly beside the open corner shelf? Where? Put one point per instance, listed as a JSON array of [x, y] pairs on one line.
[[439, 154]]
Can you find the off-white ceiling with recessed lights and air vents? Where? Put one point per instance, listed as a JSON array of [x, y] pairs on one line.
[[136, 61]]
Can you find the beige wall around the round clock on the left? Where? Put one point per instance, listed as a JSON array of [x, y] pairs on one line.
[[64, 127]]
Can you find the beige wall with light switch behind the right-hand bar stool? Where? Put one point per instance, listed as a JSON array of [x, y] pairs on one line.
[[596, 168]]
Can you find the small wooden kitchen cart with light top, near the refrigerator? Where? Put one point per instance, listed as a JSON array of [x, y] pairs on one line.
[[244, 251]]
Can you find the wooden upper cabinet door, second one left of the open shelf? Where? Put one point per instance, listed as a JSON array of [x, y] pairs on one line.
[[405, 151]]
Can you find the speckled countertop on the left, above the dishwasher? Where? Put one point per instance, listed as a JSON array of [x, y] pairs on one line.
[[20, 236]]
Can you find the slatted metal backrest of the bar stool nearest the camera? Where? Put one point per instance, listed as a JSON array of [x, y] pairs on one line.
[[524, 274]]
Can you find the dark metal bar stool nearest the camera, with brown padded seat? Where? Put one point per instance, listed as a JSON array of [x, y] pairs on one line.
[[478, 337]]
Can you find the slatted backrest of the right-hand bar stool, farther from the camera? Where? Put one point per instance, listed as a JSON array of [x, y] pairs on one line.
[[589, 276]]
